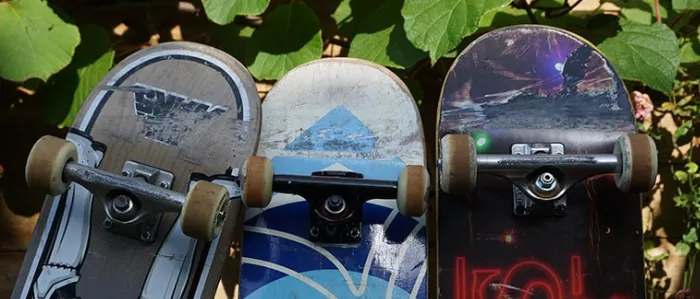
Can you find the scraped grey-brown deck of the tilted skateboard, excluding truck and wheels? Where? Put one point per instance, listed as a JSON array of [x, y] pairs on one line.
[[182, 107]]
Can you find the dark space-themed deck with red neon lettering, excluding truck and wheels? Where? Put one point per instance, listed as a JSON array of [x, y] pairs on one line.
[[538, 84]]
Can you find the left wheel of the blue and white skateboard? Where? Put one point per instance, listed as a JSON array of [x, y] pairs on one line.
[[256, 189]]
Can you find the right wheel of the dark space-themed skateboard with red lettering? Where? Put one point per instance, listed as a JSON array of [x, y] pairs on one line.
[[639, 163]]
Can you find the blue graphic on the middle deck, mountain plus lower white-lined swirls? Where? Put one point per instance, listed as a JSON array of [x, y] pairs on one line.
[[279, 262]]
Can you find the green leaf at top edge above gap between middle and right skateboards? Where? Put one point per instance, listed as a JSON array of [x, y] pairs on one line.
[[437, 26]]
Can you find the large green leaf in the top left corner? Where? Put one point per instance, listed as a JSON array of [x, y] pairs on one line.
[[34, 41]]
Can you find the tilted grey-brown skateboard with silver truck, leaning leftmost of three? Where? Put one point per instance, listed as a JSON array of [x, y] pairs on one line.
[[143, 196]]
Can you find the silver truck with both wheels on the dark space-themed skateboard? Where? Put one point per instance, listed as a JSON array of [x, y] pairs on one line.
[[542, 173]]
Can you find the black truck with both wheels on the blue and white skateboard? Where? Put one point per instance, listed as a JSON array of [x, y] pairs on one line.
[[335, 197]]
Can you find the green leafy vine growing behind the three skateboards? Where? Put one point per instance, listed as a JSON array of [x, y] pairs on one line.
[[653, 45]]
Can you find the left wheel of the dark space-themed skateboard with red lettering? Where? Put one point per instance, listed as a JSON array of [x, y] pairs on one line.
[[458, 168]]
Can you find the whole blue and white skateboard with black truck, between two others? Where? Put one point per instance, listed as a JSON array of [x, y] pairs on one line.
[[336, 195]]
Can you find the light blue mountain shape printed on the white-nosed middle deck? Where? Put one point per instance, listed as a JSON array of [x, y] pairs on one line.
[[337, 131]]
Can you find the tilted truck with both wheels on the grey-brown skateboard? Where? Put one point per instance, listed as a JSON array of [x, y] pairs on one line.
[[135, 198]]
